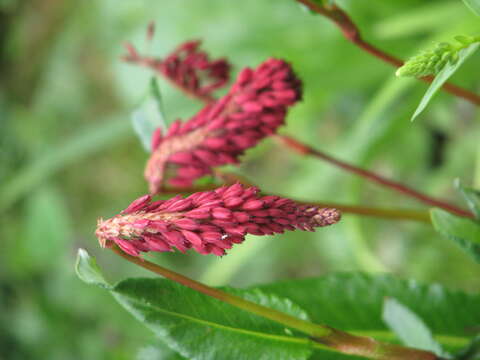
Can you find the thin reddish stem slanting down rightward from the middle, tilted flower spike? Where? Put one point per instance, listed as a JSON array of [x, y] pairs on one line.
[[396, 186]]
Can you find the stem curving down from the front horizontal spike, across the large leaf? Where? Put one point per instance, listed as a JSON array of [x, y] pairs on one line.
[[338, 340]]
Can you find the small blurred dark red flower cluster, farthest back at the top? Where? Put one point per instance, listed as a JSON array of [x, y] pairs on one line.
[[188, 68]]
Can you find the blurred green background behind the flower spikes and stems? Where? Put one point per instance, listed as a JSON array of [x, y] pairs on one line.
[[68, 154]]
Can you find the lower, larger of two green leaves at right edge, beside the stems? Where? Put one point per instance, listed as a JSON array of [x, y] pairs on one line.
[[463, 231]]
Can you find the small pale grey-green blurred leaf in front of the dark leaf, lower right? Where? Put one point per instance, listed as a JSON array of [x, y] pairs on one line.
[[409, 327]]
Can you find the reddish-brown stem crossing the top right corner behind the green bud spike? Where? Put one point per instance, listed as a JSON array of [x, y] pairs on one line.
[[352, 34]]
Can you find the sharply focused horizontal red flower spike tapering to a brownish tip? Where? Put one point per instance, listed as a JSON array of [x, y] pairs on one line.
[[209, 222]]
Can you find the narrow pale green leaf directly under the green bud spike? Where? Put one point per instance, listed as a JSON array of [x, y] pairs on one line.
[[448, 70]]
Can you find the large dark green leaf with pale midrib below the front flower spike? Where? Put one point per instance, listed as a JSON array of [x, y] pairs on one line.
[[200, 327]]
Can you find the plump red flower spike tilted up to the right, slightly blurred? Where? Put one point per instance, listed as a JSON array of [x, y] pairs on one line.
[[254, 108]]
